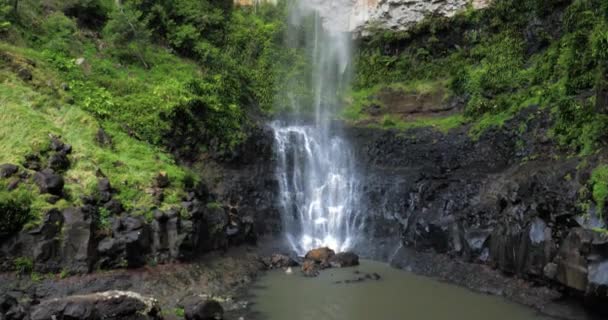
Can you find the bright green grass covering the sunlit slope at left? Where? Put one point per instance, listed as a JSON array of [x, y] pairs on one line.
[[33, 111]]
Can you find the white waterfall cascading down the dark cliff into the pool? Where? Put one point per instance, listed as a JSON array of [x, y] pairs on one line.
[[318, 180]]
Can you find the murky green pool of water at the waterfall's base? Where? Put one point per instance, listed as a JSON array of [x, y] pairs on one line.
[[397, 295]]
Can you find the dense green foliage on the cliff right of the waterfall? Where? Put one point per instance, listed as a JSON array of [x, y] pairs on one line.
[[502, 64]]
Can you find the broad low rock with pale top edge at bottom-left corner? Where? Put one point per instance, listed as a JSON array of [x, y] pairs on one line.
[[97, 306]]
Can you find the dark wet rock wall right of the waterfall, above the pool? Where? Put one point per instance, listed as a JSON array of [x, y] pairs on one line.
[[506, 200]]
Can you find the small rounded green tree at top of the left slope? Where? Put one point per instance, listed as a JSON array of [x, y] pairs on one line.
[[127, 31]]
